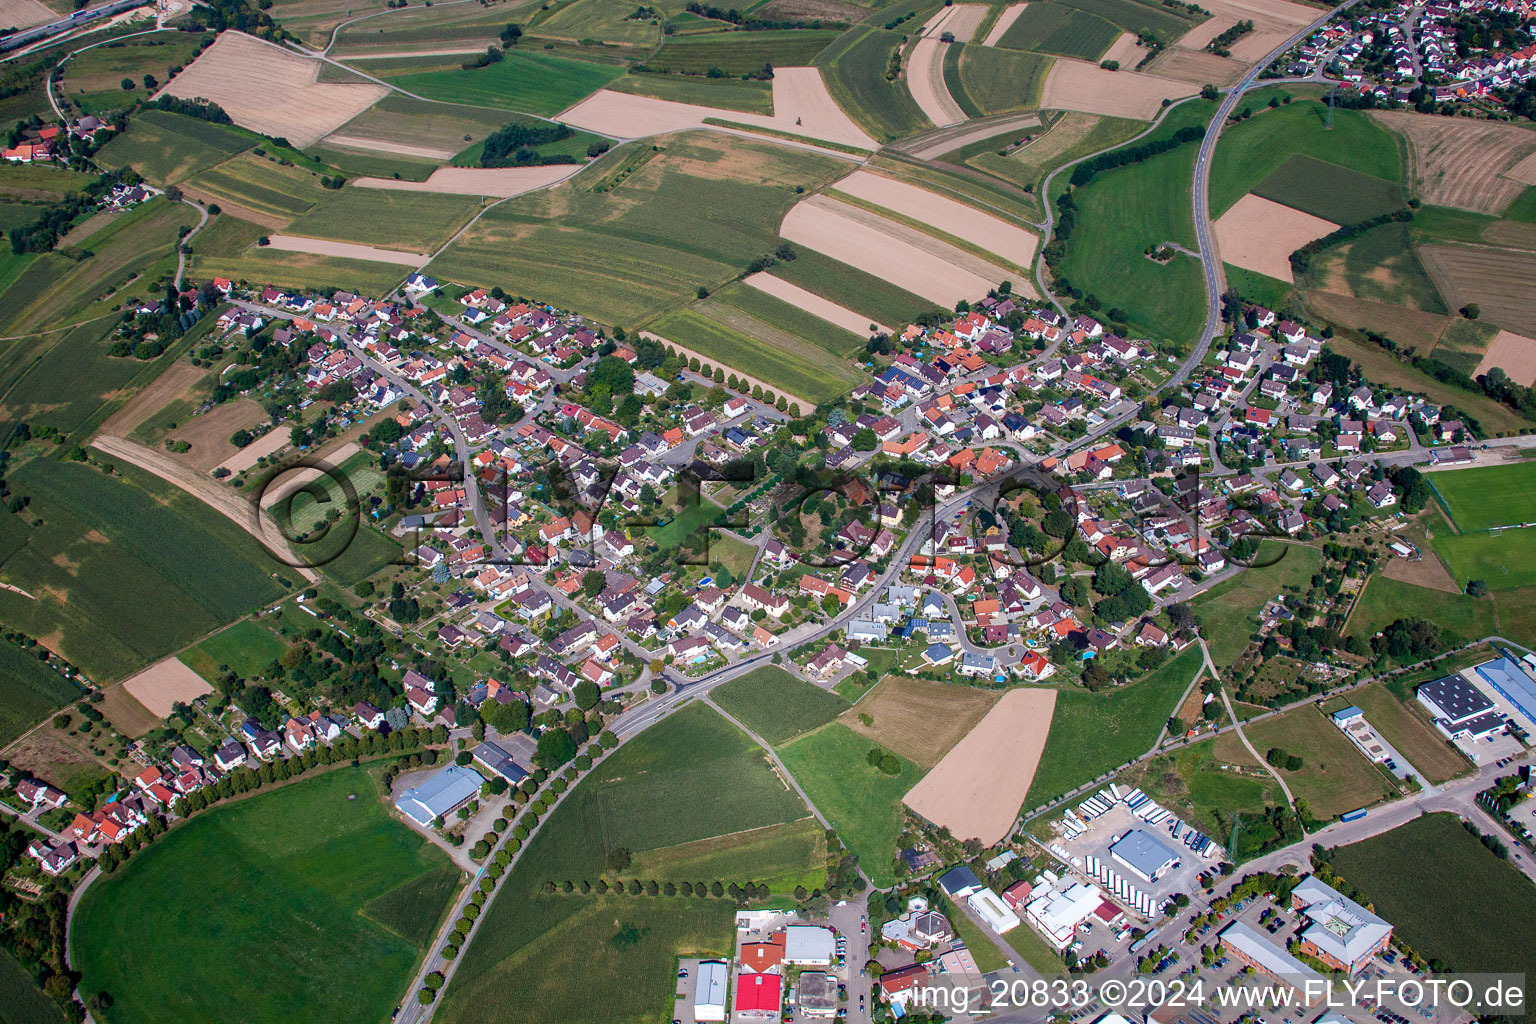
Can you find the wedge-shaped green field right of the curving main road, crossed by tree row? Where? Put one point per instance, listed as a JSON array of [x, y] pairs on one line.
[[692, 778]]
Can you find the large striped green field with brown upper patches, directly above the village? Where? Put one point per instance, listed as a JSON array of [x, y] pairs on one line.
[[695, 214]]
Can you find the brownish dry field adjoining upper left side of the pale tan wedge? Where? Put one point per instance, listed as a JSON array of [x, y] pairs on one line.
[[918, 719]]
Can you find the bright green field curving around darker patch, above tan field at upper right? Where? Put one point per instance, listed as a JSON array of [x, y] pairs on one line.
[[1262, 147]]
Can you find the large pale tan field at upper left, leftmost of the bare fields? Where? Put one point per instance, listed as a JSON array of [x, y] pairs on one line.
[[271, 90]]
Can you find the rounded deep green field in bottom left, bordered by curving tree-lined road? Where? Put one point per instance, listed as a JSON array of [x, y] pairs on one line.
[[263, 902]]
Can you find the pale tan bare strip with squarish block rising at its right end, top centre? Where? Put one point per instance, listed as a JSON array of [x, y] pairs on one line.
[[798, 96]]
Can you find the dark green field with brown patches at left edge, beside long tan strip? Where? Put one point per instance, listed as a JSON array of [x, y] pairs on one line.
[[124, 567]]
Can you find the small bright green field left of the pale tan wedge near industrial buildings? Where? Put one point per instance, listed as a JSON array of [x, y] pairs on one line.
[[862, 802]]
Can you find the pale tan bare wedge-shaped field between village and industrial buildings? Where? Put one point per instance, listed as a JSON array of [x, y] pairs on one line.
[[979, 787]]
